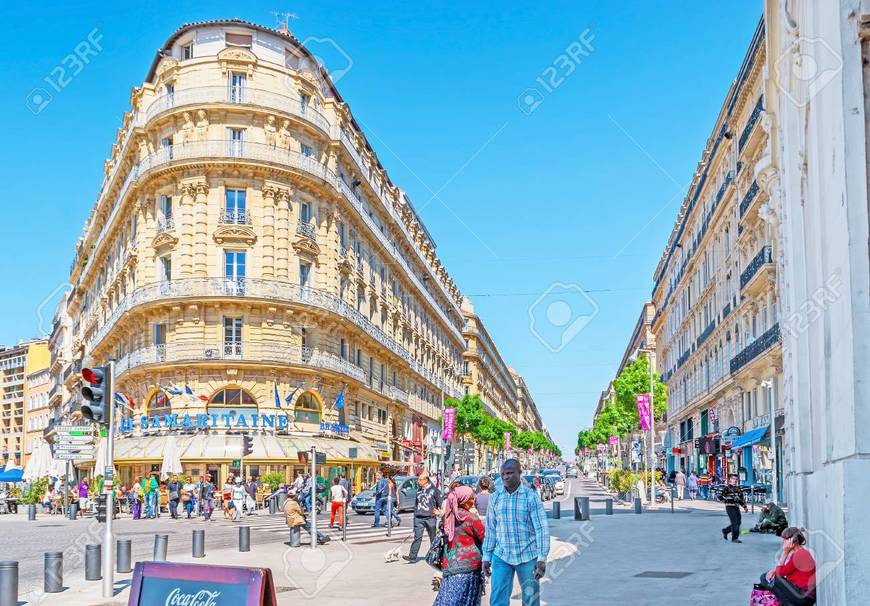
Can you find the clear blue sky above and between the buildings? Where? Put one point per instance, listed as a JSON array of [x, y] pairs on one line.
[[581, 191]]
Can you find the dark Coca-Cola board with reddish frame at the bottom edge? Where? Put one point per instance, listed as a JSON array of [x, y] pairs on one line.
[[168, 584]]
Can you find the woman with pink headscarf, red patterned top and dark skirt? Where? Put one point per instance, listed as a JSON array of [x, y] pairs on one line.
[[463, 581]]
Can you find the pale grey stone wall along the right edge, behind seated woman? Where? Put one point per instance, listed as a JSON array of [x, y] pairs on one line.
[[818, 182]]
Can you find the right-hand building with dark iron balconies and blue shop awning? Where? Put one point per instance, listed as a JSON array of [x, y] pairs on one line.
[[716, 324]]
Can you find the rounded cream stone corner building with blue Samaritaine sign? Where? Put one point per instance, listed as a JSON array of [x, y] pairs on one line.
[[249, 262]]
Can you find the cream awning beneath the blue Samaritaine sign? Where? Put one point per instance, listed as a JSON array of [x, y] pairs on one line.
[[216, 447]]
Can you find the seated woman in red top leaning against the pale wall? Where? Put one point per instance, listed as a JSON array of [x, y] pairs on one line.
[[793, 581]]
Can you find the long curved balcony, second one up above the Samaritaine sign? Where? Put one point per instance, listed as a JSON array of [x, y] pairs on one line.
[[268, 290]]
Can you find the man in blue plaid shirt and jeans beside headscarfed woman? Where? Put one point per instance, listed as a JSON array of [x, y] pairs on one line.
[[517, 539]]
